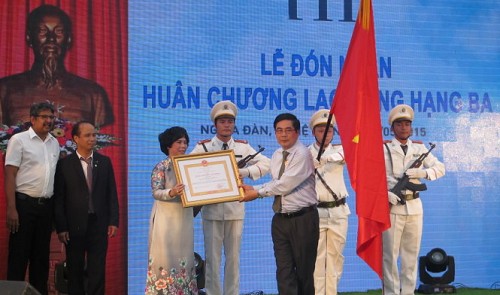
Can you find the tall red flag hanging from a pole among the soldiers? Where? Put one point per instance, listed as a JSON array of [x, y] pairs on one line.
[[357, 112]]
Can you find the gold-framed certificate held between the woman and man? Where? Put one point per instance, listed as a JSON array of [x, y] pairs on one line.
[[208, 178]]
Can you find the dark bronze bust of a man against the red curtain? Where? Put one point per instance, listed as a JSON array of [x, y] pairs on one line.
[[49, 35]]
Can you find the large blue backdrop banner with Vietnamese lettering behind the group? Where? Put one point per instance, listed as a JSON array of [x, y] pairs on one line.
[[268, 57]]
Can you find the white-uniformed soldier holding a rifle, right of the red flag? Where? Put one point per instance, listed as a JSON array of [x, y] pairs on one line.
[[404, 237]]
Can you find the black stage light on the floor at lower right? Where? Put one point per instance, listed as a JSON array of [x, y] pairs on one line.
[[437, 271]]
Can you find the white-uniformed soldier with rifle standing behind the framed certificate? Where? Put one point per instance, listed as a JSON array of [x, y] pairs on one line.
[[223, 223]]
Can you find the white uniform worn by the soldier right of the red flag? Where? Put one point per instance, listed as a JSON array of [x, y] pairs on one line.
[[404, 236]]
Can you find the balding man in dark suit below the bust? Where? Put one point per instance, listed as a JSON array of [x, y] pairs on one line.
[[86, 210]]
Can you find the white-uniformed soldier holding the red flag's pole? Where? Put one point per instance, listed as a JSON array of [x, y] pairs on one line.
[[332, 207]]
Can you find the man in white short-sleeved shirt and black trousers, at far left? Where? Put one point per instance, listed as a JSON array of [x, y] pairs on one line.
[[30, 165]]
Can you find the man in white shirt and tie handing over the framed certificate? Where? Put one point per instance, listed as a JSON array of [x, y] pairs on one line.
[[295, 224]]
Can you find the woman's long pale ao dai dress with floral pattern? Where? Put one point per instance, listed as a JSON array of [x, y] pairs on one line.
[[171, 250]]
